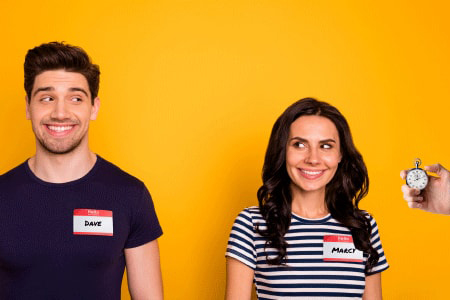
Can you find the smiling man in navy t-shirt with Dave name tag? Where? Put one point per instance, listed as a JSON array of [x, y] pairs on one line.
[[71, 221]]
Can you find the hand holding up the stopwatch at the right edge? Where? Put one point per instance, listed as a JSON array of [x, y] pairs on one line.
[[435, 197]]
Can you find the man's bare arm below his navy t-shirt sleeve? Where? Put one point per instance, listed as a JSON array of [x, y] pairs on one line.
[[144, 272]]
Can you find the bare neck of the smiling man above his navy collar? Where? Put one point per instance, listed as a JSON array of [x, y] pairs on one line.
[[60, 168]]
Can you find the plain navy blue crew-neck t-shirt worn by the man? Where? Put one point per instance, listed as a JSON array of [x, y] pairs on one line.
[[42, 258]]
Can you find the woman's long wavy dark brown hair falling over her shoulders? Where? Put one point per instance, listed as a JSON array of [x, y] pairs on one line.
[[342, 195]]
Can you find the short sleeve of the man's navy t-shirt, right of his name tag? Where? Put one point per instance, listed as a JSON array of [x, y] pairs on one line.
[[144, 222]]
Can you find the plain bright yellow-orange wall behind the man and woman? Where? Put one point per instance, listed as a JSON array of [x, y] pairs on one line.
[[191, 89]]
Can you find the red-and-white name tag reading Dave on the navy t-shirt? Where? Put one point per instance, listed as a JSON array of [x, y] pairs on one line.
[[92, 222]]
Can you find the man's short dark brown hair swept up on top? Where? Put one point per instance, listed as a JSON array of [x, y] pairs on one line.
[[57, 56]]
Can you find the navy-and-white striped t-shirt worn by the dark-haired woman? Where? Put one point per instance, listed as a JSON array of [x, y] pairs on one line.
[[322, 262]]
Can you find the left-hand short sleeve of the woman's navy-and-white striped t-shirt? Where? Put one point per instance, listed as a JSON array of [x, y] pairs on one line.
[[241, 244]]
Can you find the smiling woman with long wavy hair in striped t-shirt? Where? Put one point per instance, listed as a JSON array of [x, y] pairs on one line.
[[308, 238]]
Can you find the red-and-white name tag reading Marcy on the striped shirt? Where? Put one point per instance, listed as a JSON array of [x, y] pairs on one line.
[[340, 248]]
